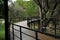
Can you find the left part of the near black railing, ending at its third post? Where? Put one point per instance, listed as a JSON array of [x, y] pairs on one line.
[[23, 32]]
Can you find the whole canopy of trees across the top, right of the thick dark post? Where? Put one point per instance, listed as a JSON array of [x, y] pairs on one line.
[[24, 9]]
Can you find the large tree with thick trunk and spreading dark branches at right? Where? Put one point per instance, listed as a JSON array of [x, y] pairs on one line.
[[48, 9]]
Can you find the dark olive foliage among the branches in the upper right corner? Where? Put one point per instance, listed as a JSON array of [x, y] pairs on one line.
[[51, 6]]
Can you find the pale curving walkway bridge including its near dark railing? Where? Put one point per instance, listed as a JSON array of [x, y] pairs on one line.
[[21, 31]]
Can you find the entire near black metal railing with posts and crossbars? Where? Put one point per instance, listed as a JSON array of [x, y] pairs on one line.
[[36, 33]]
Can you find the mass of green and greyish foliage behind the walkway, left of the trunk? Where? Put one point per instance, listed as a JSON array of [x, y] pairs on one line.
[[23, 9]]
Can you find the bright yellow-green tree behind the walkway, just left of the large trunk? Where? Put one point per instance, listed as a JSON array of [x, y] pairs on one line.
[[30, 7]]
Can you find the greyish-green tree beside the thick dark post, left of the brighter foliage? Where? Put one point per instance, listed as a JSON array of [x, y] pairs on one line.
[[14, 10]]
